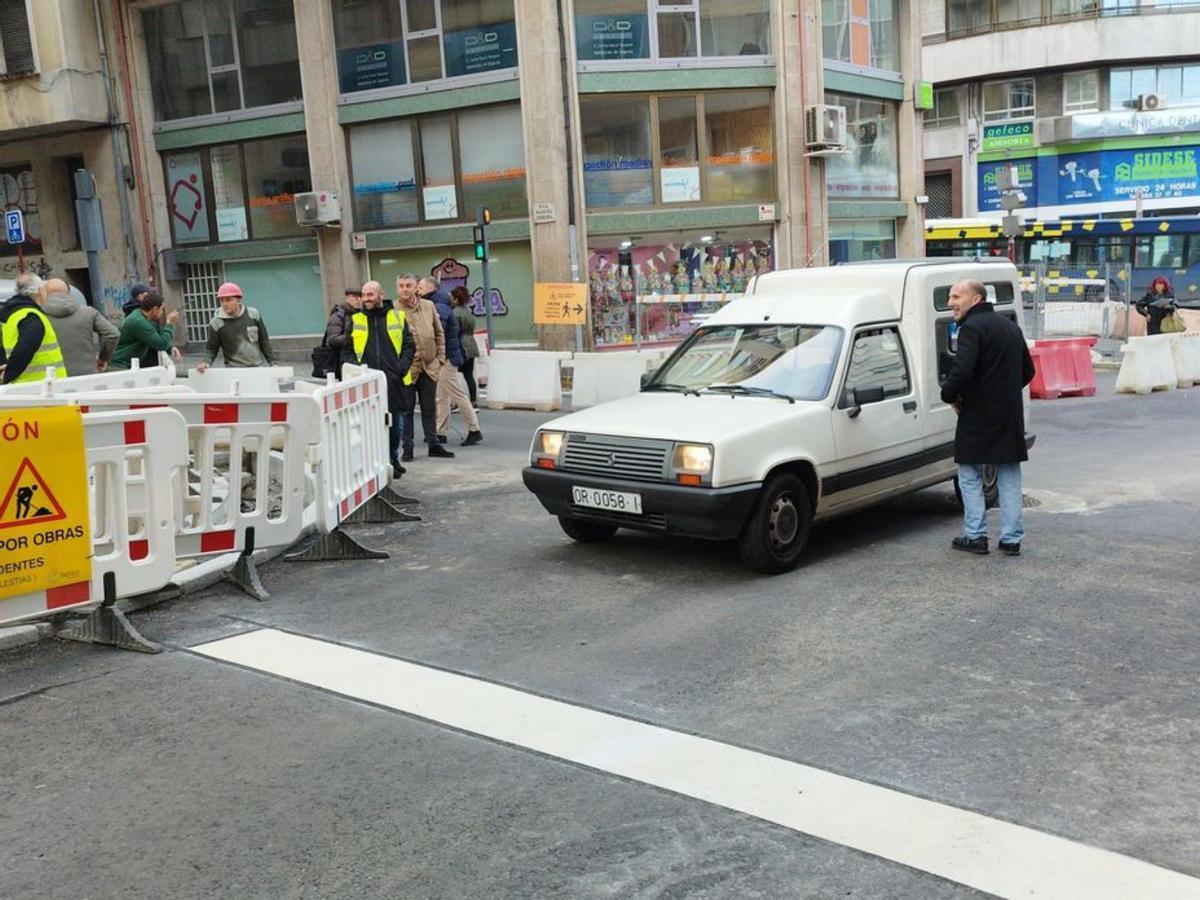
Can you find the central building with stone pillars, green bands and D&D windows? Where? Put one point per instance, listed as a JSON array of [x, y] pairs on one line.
[[647, 149]]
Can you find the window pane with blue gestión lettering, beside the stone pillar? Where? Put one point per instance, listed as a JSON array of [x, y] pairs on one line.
[[616, 134]]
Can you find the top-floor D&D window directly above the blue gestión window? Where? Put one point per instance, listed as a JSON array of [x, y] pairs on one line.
[[671, 29]]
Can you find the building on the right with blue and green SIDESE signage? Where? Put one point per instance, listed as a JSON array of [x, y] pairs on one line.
[[1097, 104]]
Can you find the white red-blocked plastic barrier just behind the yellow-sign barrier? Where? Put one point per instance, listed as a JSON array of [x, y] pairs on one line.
[[247, 465]]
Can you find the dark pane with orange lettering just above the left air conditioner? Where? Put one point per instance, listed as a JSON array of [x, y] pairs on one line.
[[277, 171]]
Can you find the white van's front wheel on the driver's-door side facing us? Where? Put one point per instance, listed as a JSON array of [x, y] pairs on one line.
[[778, 530]]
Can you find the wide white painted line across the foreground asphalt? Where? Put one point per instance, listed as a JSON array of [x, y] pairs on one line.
[[968, 848]]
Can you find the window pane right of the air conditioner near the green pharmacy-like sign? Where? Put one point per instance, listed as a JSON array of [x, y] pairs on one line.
[[871, 169]]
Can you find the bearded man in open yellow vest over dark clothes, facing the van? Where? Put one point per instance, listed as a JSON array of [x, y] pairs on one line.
[[377, 337]]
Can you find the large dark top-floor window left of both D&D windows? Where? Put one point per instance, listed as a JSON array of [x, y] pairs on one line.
[[217, 57]]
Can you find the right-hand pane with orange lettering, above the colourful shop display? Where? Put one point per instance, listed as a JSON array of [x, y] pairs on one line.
[[741, 147]]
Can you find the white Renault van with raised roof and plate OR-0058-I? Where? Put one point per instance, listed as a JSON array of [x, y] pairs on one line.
[[817, 394]]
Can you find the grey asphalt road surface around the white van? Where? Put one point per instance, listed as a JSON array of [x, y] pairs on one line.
[[1058, 692]]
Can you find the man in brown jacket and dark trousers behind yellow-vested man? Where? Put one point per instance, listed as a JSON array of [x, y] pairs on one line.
[[425, 326]]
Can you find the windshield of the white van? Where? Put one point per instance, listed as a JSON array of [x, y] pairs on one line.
[[790, 361]]
